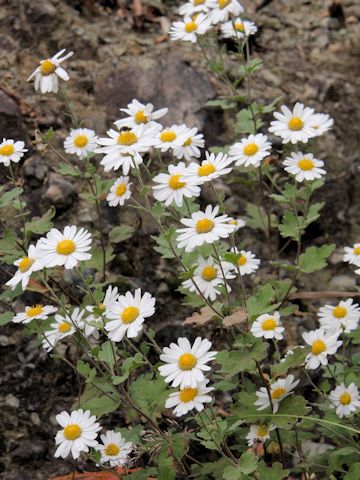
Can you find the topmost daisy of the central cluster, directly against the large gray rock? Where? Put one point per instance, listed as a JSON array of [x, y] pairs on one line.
[[140, 114]]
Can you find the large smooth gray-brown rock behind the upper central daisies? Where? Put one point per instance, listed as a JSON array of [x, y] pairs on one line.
[[168, 81]]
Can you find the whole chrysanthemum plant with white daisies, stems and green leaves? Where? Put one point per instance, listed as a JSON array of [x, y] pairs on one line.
[[256, 407]]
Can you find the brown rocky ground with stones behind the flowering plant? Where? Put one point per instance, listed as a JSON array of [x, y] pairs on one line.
[[311, 52]]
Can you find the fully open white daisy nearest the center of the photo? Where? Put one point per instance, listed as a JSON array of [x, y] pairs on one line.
[[203, 227]]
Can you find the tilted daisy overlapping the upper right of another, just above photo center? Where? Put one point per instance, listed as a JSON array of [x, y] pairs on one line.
[[213, 167]]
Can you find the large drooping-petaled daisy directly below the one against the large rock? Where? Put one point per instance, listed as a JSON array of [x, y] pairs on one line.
[[123, 149]]
